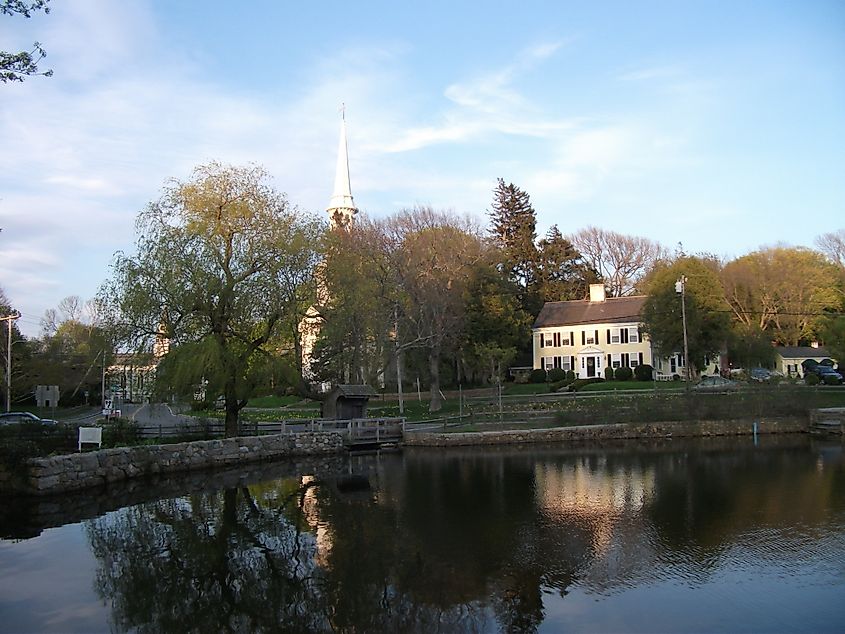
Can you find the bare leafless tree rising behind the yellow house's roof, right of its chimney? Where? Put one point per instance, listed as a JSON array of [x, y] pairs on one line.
[[620, 261]]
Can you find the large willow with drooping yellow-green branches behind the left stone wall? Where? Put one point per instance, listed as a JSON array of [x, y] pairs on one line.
[[224, 268]]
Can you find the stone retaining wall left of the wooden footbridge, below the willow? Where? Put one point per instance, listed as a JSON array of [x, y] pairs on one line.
[[83, 470]]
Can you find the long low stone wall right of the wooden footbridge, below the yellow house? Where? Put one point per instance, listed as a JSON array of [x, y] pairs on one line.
[[609, 432]]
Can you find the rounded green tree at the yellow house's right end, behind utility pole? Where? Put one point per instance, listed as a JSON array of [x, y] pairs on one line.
[[707, 312]]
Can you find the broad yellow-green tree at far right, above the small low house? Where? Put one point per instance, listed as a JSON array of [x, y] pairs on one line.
[[783, 291]]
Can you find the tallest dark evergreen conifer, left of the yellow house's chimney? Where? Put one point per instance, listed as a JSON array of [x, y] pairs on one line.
[[514, 224]]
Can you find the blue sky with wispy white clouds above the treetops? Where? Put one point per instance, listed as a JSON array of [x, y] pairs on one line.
[[716, 125]]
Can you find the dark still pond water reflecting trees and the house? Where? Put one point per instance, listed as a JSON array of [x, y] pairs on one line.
[[678, 536]]
